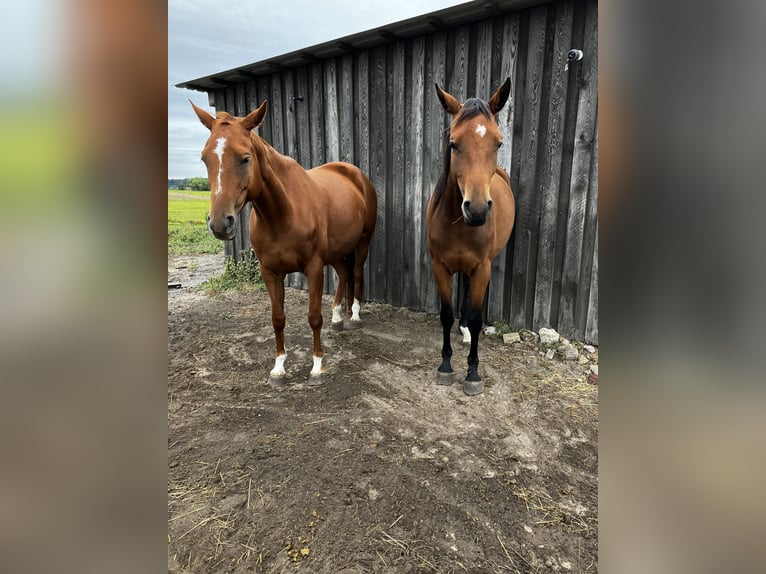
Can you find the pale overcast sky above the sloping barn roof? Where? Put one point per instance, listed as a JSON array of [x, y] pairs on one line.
[[209, 36]]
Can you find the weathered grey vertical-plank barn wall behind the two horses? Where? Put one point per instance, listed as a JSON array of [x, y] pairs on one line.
[[377, 108]]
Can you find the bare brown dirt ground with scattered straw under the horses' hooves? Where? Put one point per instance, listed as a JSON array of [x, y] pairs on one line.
[[378, 470]]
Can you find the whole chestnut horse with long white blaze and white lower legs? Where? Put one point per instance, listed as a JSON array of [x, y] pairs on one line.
[[300, 221]]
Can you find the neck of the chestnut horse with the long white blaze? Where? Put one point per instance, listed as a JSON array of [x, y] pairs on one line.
[[273, 199]]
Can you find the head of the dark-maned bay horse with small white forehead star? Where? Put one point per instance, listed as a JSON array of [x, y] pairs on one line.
[[473, 143]]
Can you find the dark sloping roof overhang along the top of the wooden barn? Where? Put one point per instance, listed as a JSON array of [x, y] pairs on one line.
[[441, 19]]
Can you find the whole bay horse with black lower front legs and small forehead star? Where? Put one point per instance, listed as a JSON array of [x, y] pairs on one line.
[[470, 218]]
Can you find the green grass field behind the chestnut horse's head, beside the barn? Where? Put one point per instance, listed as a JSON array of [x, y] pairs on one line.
[[187, 230]]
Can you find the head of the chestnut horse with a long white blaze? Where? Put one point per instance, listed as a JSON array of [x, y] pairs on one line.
[[229, 156]]
